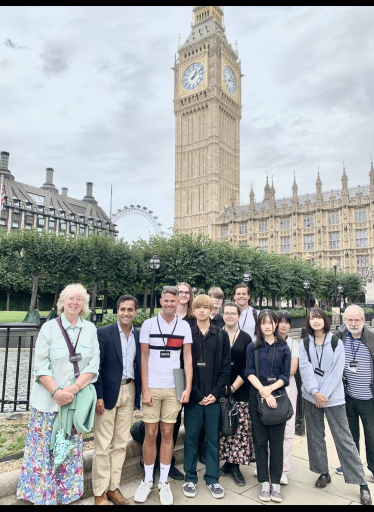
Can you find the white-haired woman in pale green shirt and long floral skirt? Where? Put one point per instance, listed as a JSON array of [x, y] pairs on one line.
[[60, 372]]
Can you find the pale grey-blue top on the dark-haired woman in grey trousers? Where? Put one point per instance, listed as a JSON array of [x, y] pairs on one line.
[[331, 384]]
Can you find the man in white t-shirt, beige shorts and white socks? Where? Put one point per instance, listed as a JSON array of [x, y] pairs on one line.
[[161, 341]]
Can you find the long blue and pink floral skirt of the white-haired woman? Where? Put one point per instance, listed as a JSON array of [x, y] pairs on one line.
[[40, 482]]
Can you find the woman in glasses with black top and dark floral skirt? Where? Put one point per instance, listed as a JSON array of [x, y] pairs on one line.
[[237, 449]]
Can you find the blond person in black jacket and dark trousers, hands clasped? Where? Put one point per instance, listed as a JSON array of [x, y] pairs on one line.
[[211, 370]]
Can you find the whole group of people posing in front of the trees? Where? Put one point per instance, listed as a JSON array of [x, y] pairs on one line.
[[225, 349]]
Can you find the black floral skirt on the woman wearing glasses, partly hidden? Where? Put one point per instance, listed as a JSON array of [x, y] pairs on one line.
[[238, 449]]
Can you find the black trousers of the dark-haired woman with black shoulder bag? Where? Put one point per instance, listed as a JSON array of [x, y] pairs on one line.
[[266, 438]]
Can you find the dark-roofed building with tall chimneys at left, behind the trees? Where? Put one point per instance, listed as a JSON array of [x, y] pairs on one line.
[[27, 206]]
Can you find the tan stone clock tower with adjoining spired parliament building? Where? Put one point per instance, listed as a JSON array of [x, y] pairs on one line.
[[338, 224]]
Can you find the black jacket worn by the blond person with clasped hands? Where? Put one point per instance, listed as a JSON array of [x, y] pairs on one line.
[[218, 362]]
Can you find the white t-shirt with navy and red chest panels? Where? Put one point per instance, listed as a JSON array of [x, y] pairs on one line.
[[160, 369]]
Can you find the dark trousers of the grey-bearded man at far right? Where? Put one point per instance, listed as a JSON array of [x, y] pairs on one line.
[[363, 409]]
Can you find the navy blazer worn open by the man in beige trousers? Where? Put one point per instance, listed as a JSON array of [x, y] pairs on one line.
[[111, 366]]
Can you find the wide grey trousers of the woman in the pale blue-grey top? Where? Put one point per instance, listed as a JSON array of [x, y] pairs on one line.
[[347, 452]]
